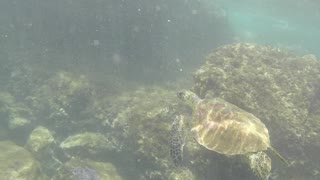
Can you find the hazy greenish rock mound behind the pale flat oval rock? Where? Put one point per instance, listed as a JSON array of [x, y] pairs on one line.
[[61, 102]]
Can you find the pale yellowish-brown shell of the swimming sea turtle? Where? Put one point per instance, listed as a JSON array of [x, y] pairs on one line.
[[225, 128]]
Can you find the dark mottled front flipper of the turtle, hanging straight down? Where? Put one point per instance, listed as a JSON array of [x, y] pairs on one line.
[[177, 140]]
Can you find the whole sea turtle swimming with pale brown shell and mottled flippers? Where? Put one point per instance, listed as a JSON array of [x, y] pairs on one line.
[[226, 129]]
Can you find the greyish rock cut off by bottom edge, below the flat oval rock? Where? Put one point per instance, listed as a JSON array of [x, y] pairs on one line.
[[77, 169]]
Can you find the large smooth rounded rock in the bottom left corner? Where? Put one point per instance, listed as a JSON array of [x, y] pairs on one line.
[[17, 163]]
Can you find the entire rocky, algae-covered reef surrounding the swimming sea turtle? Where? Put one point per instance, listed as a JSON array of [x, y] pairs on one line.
[[80, 129]]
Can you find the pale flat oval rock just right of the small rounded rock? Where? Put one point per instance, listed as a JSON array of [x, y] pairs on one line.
[[86, 143]]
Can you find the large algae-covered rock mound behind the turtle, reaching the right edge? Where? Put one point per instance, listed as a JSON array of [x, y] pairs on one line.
[[278, 87]]
